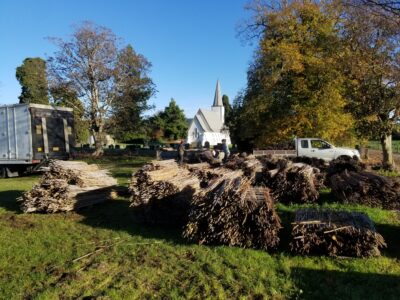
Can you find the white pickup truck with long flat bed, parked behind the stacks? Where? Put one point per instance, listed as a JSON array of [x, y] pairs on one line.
[[312, 147]]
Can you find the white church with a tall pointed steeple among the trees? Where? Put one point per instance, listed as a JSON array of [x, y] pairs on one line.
[[208, 125]]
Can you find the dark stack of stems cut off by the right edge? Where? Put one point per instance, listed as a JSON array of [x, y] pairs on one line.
[[366, 188]]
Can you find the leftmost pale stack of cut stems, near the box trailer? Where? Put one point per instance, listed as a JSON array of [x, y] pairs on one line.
[[68, 185]]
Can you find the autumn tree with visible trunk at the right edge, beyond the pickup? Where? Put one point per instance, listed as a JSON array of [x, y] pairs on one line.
[[372, 66]]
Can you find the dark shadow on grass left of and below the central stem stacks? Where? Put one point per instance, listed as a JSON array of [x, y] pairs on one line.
[[117, 215]]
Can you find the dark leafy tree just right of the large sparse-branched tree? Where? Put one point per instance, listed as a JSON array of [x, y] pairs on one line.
[[134, 88]]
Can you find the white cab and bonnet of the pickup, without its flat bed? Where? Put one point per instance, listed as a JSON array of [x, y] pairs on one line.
[[314, 147]]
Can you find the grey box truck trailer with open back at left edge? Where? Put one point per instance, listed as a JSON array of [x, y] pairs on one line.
[[30, 134]]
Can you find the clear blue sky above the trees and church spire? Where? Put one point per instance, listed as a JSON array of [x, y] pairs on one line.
[[190, 44]]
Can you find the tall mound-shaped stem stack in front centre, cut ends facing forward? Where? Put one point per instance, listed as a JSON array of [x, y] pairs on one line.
[[233, 212]]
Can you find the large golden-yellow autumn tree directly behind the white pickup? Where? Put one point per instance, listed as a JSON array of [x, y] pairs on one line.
[[295, 85]]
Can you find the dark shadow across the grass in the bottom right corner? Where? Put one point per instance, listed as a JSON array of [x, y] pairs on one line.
[[324, 284]]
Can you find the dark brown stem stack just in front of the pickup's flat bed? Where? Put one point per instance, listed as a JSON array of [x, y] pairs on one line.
[[292, 182]]
